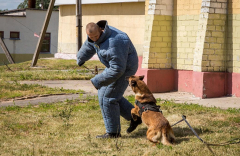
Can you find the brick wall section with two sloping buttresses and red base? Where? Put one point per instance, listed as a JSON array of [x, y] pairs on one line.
[[199, 66]]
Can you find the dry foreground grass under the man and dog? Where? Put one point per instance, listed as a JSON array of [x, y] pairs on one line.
[[70, 127]]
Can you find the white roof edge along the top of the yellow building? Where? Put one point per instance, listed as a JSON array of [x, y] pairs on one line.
[[71, 2]]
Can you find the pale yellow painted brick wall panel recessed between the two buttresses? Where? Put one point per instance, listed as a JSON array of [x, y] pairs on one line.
[[185, 28]]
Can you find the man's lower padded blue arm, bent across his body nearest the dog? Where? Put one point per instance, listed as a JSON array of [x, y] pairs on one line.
[[117, 56]]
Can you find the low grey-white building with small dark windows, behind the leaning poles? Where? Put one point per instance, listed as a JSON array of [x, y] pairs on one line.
[[19, 30]]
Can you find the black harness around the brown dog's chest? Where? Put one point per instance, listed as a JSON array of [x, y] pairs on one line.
[[147, 106]]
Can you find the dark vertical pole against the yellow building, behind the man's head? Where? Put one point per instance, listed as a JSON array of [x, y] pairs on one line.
[[79, 23]]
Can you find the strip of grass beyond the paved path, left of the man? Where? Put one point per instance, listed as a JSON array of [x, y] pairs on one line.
[[49, 69]]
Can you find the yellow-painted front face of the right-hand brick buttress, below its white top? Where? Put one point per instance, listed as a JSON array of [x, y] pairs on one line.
[[214, 52]]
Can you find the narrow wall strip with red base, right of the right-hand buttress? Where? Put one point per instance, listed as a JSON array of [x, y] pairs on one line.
[[233, 47]]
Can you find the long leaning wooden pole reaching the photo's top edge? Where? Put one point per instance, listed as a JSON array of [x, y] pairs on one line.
[[43, 32]]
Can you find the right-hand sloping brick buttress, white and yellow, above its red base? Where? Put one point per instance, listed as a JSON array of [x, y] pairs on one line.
[[210, 50]]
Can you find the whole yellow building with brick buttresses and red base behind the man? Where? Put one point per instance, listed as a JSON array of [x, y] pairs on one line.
[[191, 46]]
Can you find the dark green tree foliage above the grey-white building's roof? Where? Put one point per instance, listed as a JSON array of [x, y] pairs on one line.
[[44, 4]]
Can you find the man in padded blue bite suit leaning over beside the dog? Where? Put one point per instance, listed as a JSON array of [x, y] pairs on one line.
[[116, 51]]
